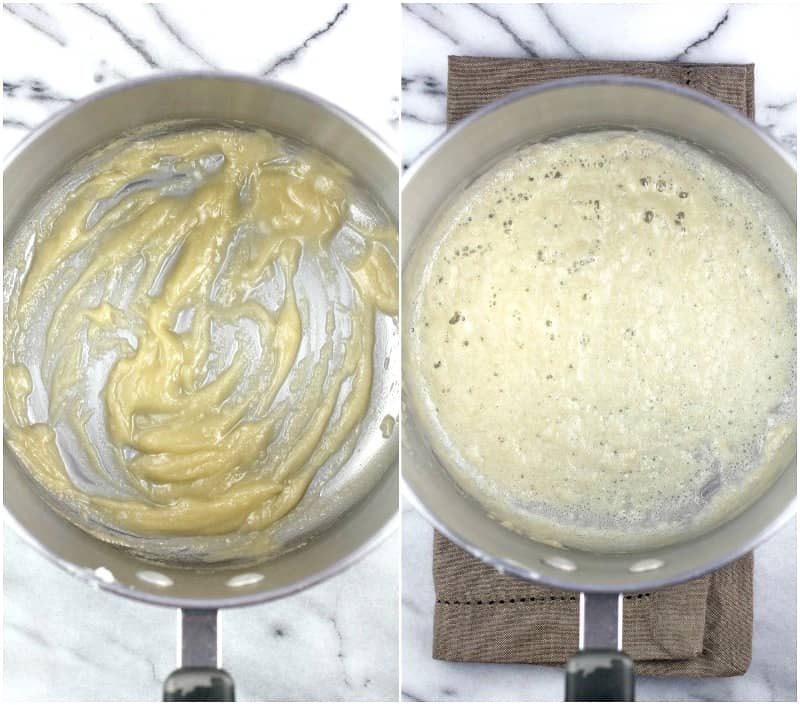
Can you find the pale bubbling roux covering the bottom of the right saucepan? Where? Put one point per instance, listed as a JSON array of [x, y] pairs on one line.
[[604, 343]]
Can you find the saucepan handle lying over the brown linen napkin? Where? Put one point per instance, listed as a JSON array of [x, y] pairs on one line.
[[600, 671]]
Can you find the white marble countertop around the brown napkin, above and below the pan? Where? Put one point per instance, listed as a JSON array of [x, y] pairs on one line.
[[764, 35]]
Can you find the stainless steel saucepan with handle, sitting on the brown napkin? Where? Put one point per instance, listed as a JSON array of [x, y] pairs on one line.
[[600, 670]]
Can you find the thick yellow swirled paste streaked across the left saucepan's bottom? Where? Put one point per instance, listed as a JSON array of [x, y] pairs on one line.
[[189, 331]]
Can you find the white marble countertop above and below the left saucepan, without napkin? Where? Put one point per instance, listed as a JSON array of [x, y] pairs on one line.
[[63, 640]]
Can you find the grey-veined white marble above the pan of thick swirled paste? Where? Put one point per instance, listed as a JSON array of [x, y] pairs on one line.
[[61, 52]]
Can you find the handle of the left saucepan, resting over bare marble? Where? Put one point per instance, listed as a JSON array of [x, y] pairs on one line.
[[199, 677]]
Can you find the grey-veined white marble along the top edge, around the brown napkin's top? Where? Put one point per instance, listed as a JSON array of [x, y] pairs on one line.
[[700, 32]]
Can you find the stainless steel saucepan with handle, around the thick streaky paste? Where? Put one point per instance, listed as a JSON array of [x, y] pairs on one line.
[[199, 592]]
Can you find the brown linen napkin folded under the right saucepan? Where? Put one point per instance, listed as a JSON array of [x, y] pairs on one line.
[[700, 628]]
